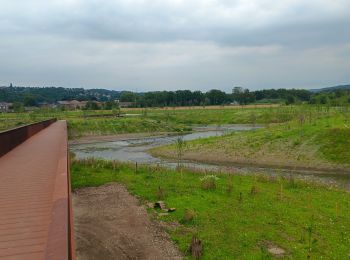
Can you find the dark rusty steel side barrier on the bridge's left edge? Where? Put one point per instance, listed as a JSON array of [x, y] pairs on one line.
[[11, 138]]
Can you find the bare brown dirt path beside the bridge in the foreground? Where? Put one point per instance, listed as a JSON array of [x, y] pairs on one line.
[[109, 223]]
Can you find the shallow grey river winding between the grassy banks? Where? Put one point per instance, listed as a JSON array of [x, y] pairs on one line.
[[135, 150]]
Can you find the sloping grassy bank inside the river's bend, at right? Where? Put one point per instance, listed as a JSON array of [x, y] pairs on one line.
[[310, 140]]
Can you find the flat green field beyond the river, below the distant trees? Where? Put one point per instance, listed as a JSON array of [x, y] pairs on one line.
[[102, 122]]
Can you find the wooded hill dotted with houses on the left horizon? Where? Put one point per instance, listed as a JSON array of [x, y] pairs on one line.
[[54, 94]]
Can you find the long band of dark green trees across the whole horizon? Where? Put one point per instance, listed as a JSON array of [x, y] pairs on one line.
[[28, 96]]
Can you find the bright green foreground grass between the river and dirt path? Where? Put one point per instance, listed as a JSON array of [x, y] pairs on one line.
[[236, 216]]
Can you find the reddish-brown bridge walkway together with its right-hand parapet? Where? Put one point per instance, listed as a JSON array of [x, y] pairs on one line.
[[35, 208]]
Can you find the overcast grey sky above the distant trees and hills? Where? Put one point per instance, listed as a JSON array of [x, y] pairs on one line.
[[175, 44]]
